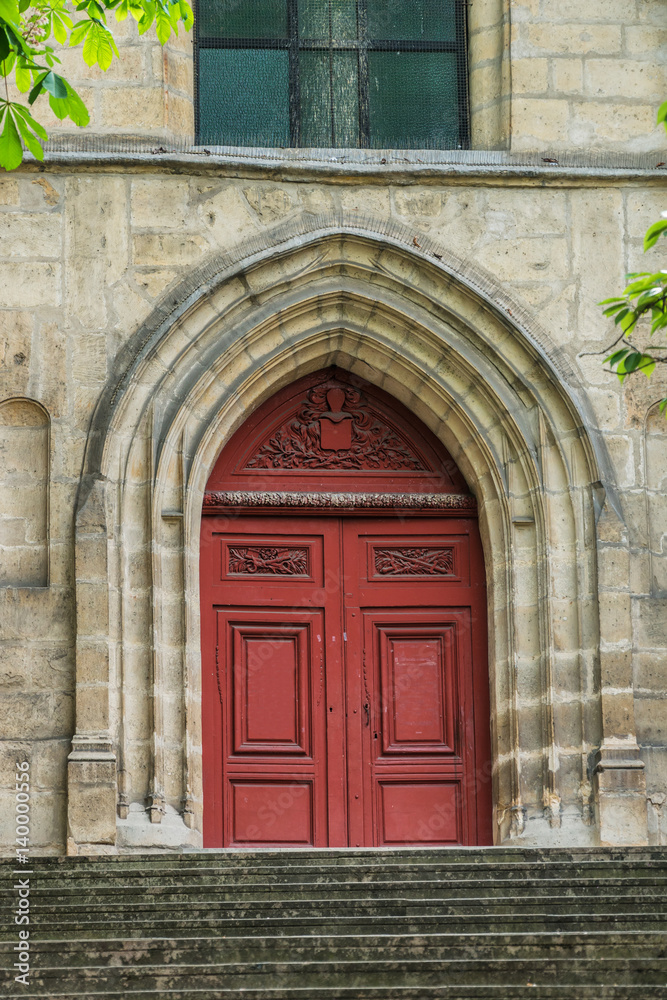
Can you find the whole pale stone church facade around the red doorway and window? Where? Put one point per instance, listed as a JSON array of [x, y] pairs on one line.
[[155, 295]]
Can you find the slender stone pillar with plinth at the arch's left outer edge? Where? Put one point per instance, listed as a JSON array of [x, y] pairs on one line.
[[91, 768]]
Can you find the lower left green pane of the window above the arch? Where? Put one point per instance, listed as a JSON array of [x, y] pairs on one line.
[[244, 97]]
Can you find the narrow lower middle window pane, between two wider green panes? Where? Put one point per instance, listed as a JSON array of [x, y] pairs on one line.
[[329, 83]]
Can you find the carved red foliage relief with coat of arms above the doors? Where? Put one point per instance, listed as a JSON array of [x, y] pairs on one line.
[[333, 429]]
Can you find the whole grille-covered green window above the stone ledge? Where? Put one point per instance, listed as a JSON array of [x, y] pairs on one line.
[[379, 74]]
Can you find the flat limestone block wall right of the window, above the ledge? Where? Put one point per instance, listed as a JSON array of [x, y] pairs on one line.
[[587, 75]]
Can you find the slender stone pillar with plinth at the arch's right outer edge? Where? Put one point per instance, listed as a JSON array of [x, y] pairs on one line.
[[619, 772]]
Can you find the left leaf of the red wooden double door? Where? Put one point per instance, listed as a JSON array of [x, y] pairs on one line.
[[264, 686]]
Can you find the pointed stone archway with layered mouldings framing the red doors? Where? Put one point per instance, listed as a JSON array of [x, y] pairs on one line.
[[438, 341]]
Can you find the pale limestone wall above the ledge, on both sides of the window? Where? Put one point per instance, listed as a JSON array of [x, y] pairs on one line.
[[544, 75]]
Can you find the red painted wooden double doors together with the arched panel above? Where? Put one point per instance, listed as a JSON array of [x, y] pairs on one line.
[[345, 679]]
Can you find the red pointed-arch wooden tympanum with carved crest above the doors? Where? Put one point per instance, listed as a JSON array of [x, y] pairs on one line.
[[301, 438]]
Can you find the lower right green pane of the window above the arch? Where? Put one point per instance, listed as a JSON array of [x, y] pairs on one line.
[[413, 100]]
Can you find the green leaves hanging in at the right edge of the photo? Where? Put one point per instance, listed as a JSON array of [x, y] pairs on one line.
[[643, 298]]
